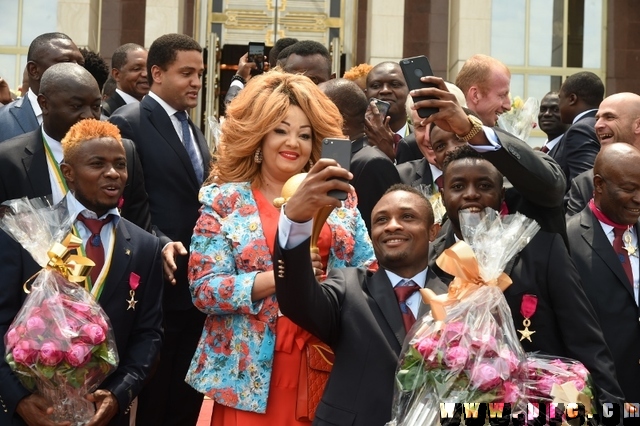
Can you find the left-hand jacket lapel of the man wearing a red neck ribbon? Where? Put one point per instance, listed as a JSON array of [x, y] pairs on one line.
[[594, 236]]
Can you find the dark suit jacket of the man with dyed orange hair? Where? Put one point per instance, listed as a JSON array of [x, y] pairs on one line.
[[138, 332]]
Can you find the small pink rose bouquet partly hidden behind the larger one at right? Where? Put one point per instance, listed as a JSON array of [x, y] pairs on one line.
[[561, 380]]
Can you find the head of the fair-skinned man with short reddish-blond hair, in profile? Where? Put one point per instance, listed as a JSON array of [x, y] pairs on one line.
[[485, 81]]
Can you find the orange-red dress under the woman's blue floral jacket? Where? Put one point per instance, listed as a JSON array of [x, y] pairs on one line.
[[290, 341]]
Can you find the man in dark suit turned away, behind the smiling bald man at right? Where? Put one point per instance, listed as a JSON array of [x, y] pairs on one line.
[[578, 99]]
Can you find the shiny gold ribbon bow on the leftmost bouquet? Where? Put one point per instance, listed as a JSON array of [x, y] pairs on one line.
[[73, 267]]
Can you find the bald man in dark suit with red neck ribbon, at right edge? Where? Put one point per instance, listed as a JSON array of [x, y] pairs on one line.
[[604, 247]]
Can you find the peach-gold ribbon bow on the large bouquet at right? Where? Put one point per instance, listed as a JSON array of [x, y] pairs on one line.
[[459, 261]]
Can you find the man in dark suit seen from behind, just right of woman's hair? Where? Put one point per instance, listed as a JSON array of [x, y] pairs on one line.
[[373, 172]]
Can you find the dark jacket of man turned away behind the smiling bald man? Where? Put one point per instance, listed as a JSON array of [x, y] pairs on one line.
[[577, 150]]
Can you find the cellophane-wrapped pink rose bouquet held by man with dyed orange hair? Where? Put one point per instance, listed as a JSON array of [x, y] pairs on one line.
[[60, 344]]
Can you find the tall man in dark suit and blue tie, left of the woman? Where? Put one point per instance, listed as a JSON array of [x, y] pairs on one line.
[[175, 159]]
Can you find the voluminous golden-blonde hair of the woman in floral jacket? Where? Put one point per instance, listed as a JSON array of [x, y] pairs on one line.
[[259, 108]]
